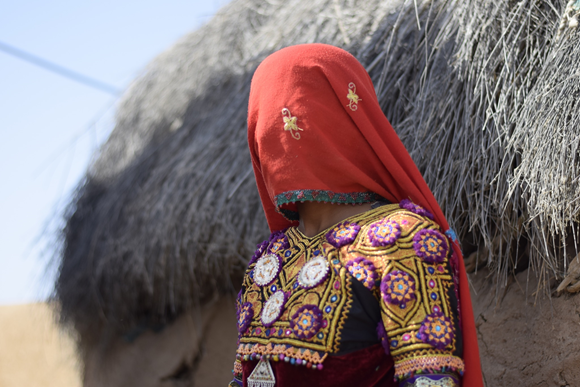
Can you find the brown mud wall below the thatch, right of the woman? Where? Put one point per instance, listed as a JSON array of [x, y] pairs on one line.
[[524, 340]]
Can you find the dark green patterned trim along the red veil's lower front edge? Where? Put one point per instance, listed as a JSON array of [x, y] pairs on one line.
[[316, 195]]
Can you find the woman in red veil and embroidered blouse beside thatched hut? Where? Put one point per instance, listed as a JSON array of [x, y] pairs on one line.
[[359, 283]]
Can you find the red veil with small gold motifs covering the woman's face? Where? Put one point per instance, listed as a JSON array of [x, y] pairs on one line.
[[316, 132]]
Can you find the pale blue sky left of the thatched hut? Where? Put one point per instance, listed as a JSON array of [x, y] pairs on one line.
[[47, 122]]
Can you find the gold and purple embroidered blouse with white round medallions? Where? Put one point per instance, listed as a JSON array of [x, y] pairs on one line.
[[384, 277]]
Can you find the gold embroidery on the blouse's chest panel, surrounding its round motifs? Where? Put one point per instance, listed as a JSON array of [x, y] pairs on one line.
[[331, 297]]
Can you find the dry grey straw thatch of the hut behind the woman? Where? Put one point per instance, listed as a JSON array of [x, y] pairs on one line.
[[482, 92]]
